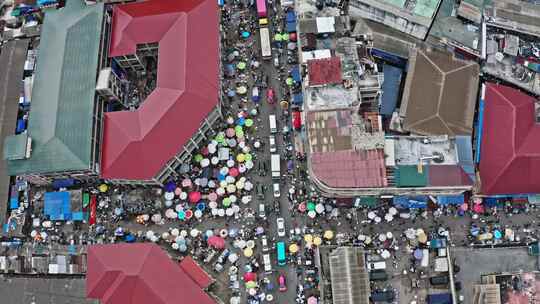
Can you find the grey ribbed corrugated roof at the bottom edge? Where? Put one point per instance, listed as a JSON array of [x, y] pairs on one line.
[[349, 277]]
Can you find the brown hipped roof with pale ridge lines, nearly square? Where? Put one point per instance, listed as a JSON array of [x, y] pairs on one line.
[[440, 94]]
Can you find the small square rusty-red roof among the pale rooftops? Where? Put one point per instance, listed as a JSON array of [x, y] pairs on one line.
[[324, 71]]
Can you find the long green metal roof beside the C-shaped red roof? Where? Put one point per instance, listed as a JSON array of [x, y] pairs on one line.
[[61, 114]]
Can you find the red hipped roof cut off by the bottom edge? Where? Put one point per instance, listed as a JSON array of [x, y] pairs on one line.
[[138, 274]]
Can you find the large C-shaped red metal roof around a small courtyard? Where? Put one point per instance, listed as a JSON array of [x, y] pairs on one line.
[[187, 84]]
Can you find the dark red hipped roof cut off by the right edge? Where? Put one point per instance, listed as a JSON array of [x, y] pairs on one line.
[[510, 162]]
